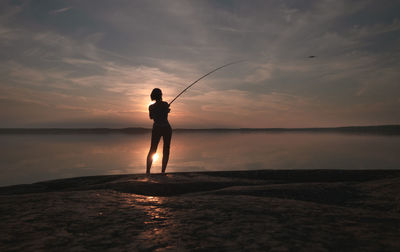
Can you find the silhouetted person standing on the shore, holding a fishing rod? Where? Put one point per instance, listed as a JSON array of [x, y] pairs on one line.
[[158, 111]]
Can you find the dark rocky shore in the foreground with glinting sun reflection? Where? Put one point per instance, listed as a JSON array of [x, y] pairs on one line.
[[317, 210]]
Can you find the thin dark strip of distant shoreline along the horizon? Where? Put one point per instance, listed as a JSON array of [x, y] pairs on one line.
[[379, 129]]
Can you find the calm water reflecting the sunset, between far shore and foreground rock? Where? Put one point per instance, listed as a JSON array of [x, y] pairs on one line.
[[32, 158]]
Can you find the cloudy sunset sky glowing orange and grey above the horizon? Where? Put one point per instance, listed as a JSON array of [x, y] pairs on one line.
[[77, 63]]
